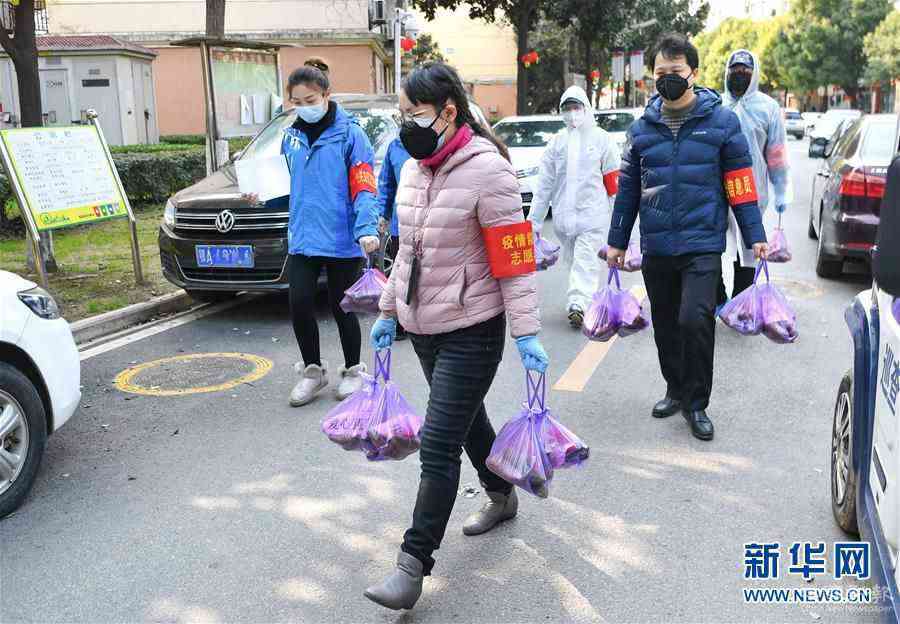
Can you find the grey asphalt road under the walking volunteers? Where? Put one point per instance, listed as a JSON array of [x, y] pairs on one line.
[[230, 506]]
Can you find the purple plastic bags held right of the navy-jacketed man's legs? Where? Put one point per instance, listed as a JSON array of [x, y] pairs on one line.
[[761, 309]]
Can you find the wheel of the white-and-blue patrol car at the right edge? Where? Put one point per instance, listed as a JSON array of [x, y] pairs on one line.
[[843, 479]]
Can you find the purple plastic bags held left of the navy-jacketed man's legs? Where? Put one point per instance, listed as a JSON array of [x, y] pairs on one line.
[[613, 311]]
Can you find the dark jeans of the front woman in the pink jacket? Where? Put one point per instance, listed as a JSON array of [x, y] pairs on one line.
[[460, 367]]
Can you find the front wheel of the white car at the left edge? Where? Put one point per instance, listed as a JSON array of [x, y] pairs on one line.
[[23, 434]]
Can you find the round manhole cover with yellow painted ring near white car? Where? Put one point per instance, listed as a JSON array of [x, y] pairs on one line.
[[193, 374]]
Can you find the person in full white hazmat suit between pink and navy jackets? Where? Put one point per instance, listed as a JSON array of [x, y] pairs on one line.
[[579, 176]]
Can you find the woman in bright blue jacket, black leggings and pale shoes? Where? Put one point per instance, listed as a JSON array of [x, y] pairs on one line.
[[333, 224]]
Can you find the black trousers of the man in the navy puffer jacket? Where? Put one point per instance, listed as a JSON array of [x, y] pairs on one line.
[[682, 291]]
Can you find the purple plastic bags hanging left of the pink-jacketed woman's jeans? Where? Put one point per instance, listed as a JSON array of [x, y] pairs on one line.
[[376, 419]]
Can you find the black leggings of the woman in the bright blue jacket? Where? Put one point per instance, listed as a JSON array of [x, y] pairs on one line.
[[304, 274]]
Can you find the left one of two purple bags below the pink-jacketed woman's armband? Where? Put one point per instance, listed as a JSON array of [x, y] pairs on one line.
[[518, 455]]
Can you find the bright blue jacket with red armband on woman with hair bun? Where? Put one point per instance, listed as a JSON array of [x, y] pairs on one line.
[[332, 202]]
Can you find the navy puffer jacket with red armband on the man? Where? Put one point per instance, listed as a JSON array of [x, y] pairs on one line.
[[682, 187]]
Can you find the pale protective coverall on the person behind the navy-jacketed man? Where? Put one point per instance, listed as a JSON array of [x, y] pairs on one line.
[[762, 123]]
